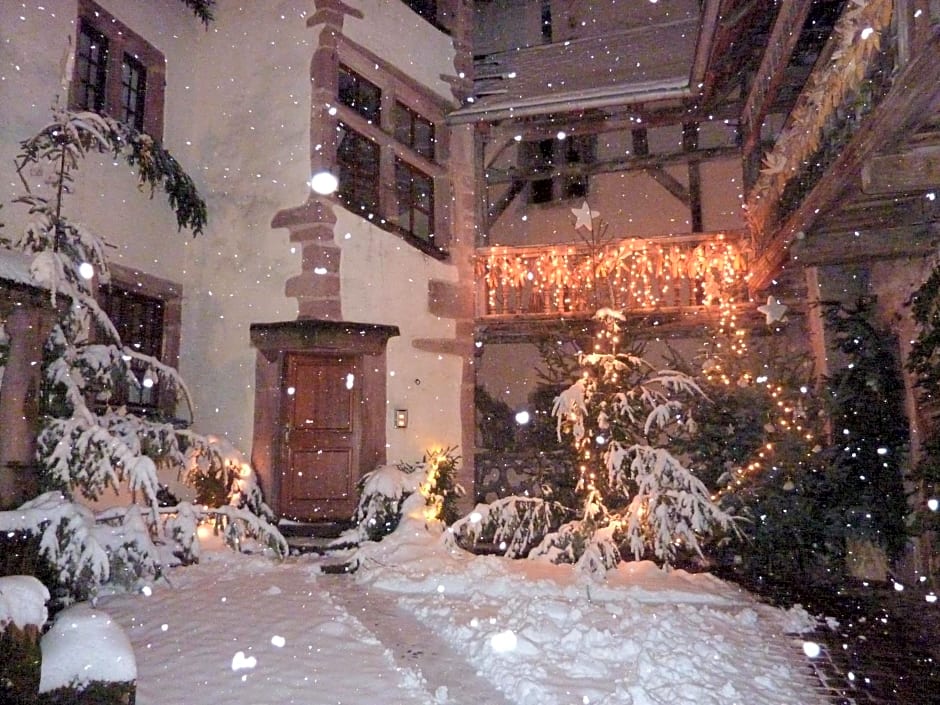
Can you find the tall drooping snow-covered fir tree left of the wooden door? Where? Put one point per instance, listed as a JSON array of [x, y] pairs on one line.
[[90, 443]]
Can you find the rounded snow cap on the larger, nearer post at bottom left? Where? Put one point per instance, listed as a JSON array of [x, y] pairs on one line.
[[85, 645]]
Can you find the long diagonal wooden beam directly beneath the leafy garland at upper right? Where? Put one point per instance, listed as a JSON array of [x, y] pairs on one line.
[[913, 99]]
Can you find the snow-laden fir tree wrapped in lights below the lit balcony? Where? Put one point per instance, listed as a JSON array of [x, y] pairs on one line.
[[635, 498]]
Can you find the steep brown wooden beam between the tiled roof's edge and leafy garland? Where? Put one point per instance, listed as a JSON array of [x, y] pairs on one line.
[[783, 38]]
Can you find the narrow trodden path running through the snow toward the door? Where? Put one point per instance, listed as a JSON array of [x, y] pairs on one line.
[[414, 644]]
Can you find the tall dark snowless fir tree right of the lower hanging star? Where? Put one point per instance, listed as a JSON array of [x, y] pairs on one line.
[[866, 498]]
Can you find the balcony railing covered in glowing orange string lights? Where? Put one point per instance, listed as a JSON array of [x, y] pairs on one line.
[[631, 275]]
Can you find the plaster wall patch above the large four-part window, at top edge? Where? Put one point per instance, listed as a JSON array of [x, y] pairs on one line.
[[398, 35]]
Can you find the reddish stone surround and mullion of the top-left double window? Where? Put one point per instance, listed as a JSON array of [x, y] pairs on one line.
[[123, 44]]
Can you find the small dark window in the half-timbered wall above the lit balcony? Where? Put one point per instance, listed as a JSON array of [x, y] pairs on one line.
[[548, 160]]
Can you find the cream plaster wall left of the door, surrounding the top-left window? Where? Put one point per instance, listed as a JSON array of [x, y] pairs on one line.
[[237, 119]]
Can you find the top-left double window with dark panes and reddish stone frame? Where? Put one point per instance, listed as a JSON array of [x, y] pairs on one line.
[[117, 73]]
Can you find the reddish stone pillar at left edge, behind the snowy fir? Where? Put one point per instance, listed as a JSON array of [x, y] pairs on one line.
[[27, 328]]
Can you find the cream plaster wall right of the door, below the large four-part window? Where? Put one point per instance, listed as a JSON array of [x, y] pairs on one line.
[[385, 280]]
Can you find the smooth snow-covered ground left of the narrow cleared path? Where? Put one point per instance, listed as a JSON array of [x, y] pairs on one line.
[[253, 632]]
